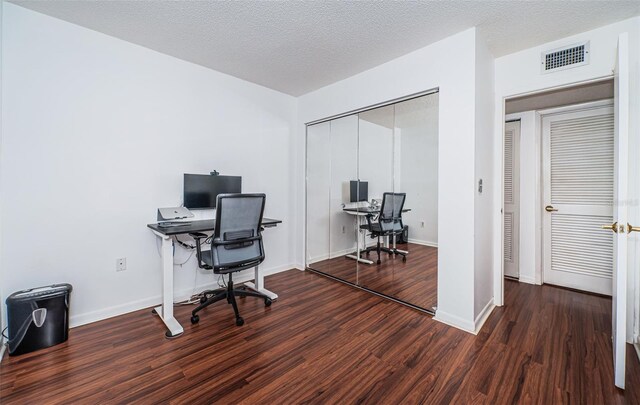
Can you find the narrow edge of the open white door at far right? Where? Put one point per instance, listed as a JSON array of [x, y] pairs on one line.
[[619, 293]]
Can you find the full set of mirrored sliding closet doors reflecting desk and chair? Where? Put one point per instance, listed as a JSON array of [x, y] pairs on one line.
[[372, 200]]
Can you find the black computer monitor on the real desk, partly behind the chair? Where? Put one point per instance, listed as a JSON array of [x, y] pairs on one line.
[[201, 190]]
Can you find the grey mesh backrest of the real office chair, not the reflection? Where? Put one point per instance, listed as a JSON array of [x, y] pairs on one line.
[[237, 238]]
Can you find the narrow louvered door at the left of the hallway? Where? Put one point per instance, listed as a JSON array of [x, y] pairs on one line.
[[511, 198]]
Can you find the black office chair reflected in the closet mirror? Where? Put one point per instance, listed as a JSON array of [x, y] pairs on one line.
[[389, 223]]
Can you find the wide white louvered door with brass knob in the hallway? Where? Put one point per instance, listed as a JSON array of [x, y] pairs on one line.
[[578, 199]]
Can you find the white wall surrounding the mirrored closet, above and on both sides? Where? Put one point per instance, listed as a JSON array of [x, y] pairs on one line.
[[434, 66]]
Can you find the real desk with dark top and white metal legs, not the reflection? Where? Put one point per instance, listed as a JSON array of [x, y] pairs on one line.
[[165, 311]]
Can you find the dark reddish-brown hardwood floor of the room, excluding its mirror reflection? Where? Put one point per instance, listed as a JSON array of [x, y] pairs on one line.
[[325, 342]]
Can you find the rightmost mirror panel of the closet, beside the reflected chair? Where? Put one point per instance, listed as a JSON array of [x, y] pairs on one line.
[[416, 131]]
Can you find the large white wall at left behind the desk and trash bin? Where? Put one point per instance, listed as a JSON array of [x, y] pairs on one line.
[[96, 135]]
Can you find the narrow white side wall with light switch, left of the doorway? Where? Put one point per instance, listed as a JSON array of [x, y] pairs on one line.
[[483, 248]]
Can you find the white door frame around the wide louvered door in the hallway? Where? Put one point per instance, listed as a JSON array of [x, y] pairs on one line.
[[573, 108]]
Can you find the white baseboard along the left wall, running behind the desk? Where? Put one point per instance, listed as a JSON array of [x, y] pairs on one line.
[[181, 295]]
